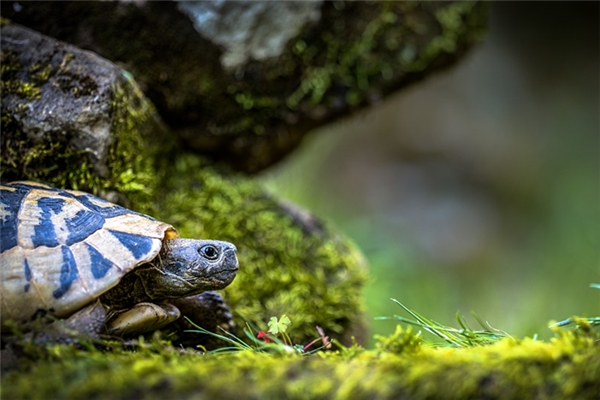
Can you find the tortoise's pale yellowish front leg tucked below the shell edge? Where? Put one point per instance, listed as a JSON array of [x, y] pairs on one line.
[[142, 318]]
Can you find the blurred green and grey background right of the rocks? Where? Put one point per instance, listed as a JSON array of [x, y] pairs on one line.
[[478, 189]]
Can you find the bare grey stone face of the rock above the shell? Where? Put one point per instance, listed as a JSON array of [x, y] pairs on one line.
[[43, 113]]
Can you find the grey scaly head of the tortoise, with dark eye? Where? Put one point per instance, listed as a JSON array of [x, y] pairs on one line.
[[186, 267]]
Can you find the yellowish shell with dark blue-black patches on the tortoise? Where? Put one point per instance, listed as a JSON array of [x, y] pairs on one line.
[[61, 249]]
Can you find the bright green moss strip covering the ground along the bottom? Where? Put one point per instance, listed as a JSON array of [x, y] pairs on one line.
[[564, 368]]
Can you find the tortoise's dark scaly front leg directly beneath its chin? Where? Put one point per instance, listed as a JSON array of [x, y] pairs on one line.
[[207, 310]]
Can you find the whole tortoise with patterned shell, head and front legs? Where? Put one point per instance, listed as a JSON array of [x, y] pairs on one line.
[[101, 267]]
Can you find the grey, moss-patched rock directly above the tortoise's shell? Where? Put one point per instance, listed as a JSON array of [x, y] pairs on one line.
[[73, 119]]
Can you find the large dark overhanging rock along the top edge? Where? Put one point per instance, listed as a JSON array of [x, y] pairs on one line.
[[242, 89]]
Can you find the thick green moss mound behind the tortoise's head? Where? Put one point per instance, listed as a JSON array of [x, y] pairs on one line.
[[313, 277]]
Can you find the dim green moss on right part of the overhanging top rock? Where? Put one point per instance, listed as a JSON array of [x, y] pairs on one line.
[[364, 63]]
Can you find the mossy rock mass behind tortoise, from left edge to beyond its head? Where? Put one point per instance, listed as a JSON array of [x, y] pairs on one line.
[[291, 263]]
